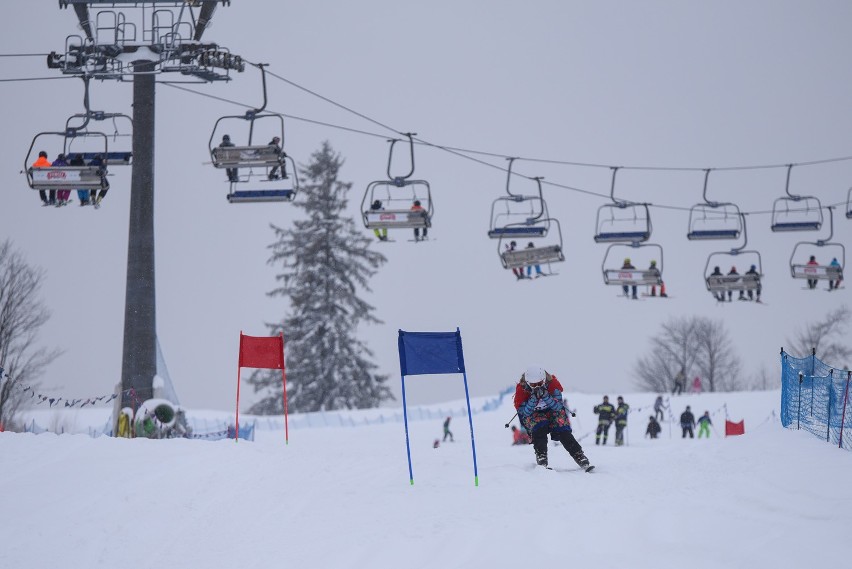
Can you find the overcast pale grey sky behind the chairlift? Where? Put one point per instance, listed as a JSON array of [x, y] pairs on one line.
[[667, 84]]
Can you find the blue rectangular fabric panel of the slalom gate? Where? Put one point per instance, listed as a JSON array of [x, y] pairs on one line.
[[422, 353]]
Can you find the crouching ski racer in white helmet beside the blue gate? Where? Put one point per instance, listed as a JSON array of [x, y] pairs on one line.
[[538, 399]]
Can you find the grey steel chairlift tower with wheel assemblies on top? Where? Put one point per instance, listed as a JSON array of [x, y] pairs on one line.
[[137, 41]]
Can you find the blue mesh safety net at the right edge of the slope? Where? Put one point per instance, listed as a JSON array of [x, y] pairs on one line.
[[816, 397]]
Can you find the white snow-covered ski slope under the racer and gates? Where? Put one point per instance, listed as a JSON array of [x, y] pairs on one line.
[[340, 497]]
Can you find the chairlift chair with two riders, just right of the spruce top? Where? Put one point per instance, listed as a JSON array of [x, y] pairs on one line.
[[397, 195]]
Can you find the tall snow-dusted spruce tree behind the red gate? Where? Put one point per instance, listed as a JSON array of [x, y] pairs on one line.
[[325, 262]]
